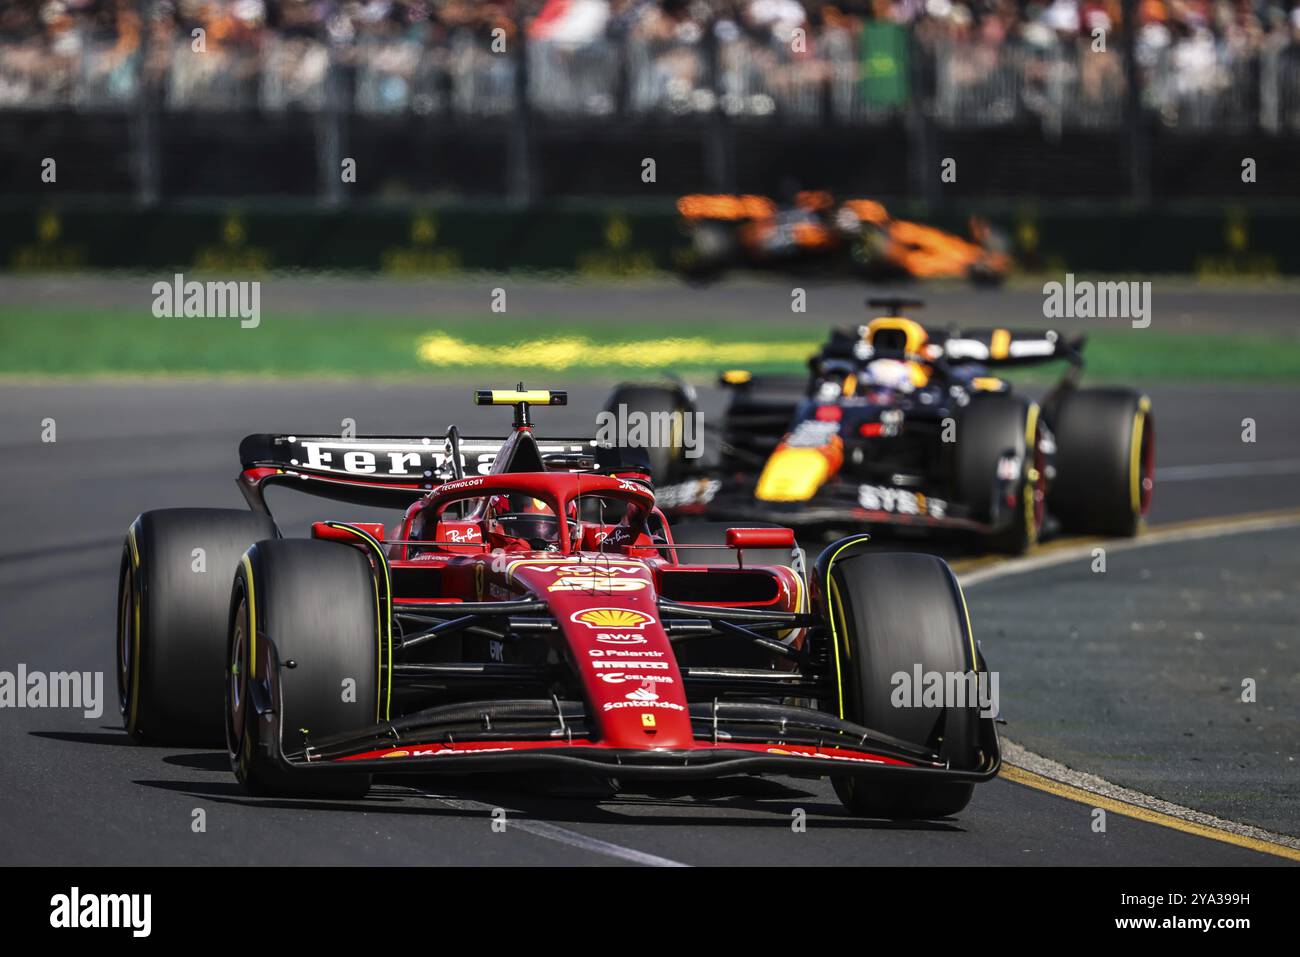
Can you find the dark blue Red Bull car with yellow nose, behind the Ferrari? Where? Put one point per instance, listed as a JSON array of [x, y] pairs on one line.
[[905, 426]]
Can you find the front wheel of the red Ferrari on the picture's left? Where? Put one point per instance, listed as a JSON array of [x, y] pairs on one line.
[[304, 655]]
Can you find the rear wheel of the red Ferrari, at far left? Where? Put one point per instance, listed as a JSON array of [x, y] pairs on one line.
[[174, 601]]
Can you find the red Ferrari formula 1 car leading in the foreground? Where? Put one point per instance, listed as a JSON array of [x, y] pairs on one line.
[[531, 612]]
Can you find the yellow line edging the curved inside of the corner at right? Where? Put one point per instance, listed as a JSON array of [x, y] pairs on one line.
[[1159, 535]]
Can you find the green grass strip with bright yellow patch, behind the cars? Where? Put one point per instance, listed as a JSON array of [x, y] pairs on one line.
[[118, 343]]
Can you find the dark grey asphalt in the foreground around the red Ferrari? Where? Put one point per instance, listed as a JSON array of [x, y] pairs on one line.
[[76, 791]]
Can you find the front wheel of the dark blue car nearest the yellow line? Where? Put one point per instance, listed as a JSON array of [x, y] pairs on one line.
[[1000, 467]]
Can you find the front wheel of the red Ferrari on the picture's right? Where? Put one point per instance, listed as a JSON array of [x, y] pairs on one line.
[[891, 614]]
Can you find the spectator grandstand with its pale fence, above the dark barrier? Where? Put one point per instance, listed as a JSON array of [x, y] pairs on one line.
[[1201, 64]]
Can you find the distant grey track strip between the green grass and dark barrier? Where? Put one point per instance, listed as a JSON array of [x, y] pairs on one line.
[[1177, 304]]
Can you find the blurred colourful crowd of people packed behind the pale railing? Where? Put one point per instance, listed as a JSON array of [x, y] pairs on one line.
[[400, 51]]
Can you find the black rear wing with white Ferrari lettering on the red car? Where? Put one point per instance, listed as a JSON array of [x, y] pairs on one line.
[[393, 471]]
